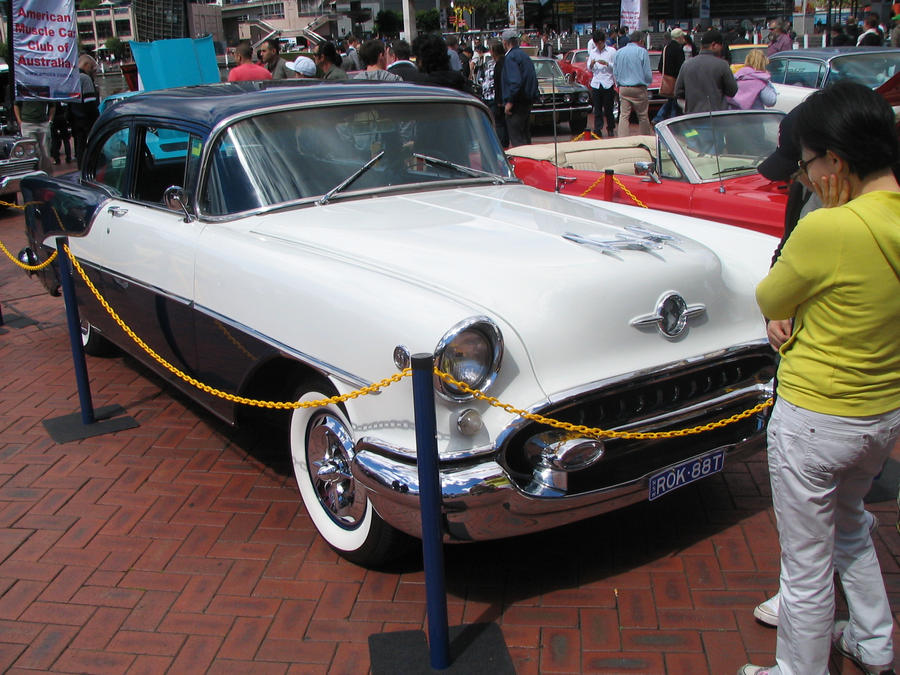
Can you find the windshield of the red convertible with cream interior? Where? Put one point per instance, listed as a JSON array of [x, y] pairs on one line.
[[741, 142]]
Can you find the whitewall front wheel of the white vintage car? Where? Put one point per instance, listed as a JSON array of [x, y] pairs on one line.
[[322, 451]]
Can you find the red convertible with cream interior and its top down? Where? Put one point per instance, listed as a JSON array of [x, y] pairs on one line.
[[699, 165]]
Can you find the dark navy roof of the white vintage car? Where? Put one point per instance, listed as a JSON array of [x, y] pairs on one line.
[[208, 104]]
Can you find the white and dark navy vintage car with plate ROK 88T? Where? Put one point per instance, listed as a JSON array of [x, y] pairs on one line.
[[299, 241]]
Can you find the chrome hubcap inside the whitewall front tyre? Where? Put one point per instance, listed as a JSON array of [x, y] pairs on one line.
[[329, 452]]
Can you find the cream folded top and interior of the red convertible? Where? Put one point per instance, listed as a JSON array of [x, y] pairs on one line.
[[618, 154]]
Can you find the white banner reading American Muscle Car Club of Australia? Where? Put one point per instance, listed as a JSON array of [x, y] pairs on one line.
[[45, 49]]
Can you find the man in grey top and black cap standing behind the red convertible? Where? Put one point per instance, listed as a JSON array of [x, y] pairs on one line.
[[705, 80]]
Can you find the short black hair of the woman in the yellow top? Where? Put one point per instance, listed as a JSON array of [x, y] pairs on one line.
[[852, 121]]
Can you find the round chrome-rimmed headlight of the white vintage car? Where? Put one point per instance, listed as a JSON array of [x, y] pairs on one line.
[[470, 352]]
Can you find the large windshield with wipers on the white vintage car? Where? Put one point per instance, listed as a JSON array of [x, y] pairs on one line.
[[282, 157]]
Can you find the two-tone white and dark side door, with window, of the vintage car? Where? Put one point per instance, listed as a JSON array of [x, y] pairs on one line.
[[140, 251]]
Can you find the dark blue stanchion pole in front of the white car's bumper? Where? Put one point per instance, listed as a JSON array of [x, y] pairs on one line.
[[430, 504]]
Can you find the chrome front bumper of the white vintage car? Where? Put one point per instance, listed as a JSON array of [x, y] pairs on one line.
[[480, 501]]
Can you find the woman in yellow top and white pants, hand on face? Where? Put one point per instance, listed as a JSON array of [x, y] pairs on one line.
[[838, 410]]
